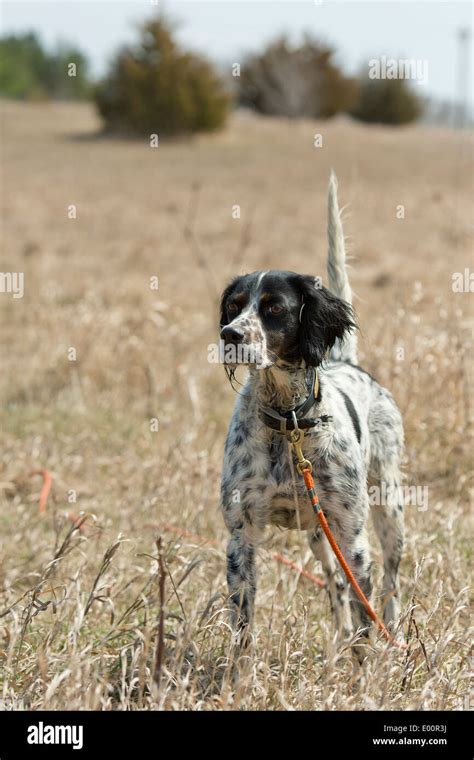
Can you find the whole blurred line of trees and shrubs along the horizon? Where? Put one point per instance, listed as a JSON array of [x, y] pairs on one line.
[[156, 86]]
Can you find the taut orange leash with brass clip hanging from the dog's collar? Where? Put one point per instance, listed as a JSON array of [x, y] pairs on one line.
[[305, 469]]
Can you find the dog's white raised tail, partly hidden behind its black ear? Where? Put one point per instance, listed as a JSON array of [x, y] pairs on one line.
[[337, 271]]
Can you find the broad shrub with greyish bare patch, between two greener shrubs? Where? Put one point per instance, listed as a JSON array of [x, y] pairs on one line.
[[295, 81]]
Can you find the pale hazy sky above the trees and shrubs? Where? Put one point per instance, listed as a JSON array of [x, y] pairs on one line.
[[225, 29]]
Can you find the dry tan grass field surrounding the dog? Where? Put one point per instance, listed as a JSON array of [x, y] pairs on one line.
[[79, 607]]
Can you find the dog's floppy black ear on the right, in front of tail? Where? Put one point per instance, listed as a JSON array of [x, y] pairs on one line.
[[324, 319]]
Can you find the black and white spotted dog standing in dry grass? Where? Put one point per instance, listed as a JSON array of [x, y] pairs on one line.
[[299, 344]]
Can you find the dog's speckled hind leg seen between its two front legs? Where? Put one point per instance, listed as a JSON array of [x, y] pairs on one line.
[[336, 583]]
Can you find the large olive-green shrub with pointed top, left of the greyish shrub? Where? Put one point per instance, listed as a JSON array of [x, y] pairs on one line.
[[157, 88]]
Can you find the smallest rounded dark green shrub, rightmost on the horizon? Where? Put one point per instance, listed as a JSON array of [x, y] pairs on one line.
[[387, 101]]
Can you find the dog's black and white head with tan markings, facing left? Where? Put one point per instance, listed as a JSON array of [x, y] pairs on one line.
[[281, 316]]
